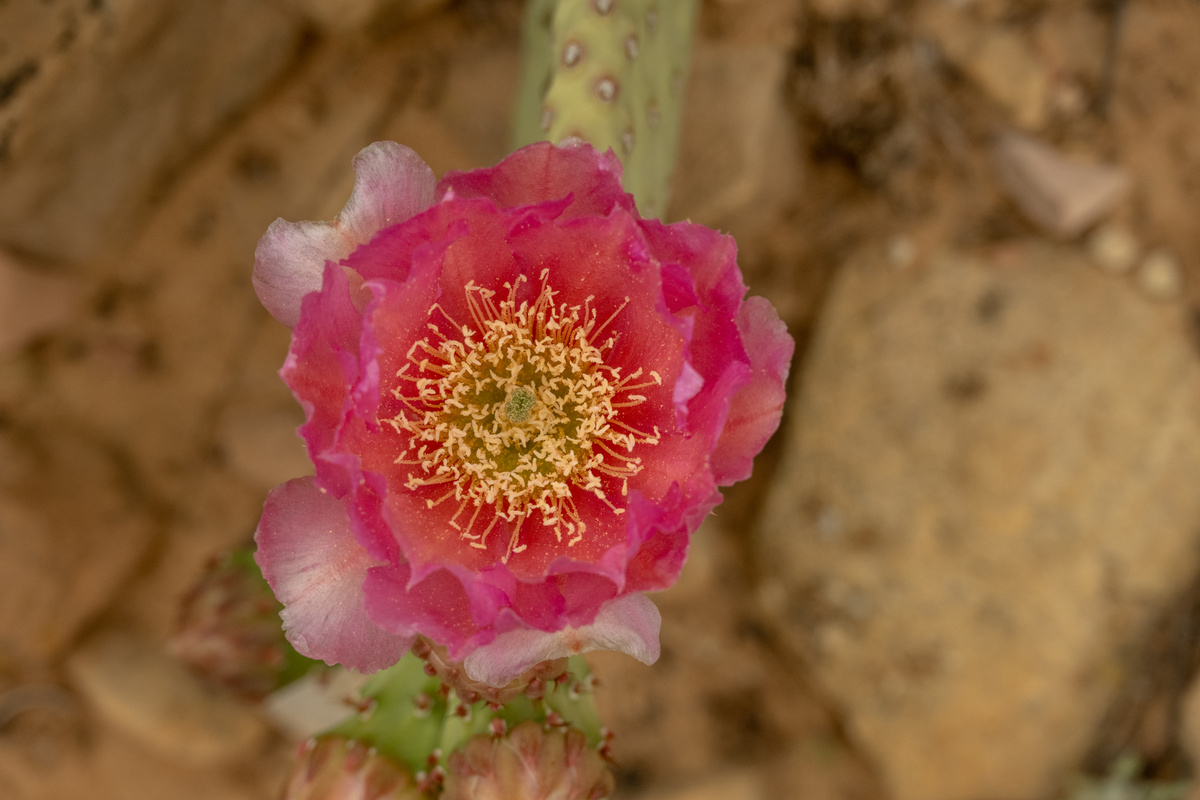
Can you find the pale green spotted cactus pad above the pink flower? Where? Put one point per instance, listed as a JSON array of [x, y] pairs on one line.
[[610, 73]]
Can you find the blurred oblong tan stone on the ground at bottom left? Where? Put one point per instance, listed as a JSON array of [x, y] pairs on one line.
[[139, 689]]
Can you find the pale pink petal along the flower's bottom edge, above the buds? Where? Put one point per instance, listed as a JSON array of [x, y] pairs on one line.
[[629, 624]]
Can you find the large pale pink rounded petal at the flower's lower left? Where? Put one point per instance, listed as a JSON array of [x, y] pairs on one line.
[[316, 569]]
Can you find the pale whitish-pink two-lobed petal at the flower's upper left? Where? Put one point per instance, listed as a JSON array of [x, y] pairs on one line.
[[392, 185]]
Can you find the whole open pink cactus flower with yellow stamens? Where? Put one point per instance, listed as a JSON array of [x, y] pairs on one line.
[[521, 400]]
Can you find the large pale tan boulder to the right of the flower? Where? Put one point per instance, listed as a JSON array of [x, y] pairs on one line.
[[991, 486]]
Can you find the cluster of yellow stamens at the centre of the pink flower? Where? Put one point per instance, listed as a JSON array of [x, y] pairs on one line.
[[518, 413]]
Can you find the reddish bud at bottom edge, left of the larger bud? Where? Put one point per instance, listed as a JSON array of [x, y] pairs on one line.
[[335, 768]]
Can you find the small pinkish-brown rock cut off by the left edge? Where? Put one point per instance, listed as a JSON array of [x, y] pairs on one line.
[[32, 303]]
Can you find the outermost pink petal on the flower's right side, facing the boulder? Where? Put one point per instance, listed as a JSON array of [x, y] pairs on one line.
[[757, 408]]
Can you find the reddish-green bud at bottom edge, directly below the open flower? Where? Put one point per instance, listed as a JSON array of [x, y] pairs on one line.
[[531, 763]]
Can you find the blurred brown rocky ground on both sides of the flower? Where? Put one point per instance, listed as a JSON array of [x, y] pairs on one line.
[[967, 569]]
